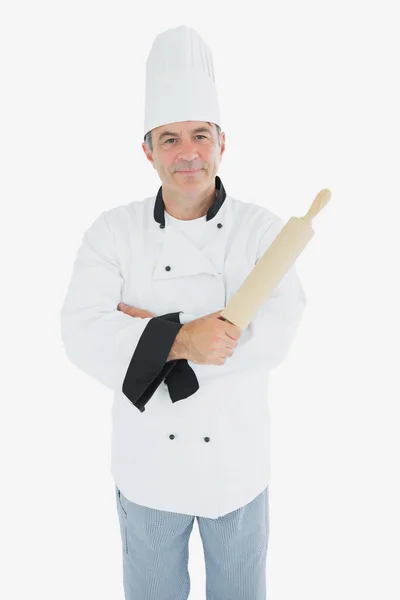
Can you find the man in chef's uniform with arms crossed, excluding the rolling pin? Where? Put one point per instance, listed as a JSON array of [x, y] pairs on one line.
[[190, 417]]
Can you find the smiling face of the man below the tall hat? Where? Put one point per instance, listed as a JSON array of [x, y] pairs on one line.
[[186, 146]]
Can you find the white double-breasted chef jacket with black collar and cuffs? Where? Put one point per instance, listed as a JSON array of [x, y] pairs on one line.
[[186, 438]]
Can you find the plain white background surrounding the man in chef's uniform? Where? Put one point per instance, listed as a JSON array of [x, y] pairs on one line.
[[309, 100]]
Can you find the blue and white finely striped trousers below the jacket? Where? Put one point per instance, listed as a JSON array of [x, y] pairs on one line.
[[155, 551]]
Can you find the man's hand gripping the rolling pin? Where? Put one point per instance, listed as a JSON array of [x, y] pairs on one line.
[[209, 340]]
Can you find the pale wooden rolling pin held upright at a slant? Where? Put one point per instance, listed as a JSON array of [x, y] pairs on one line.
[[276, 261]]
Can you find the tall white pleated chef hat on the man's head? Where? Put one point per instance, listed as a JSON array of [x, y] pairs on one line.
[[180, 81]]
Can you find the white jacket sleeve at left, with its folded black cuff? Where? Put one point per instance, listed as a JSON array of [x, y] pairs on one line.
[[122, 352]]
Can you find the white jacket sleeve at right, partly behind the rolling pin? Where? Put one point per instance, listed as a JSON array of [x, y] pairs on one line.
[[269, 337]]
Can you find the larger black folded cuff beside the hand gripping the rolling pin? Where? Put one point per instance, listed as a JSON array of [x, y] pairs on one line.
[[148, 367]]
